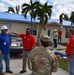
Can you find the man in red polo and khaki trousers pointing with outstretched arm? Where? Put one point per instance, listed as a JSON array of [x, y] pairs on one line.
[[29, 43]]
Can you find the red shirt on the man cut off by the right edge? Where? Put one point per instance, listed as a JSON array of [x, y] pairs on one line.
[[70, 45]]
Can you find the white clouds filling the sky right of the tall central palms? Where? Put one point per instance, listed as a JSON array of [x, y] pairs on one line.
[[62, 6]]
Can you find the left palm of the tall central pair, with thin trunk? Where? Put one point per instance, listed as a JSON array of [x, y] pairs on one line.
[[29, 8]]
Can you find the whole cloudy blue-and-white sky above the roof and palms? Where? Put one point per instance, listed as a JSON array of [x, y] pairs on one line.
[[59, 6]]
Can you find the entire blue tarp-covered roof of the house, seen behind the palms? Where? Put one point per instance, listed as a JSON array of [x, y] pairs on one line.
[[19, 17]]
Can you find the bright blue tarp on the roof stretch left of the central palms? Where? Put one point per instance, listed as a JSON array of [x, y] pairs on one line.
[[12, 17]]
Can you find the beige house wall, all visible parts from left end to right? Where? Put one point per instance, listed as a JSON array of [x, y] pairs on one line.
[[21, 28]]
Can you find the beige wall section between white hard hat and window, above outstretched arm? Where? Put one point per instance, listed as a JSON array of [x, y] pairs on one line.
[[16, 26]]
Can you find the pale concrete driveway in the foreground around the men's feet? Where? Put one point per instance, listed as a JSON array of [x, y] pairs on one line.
[[16, 67]]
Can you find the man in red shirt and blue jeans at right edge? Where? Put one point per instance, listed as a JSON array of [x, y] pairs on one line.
[[70, 51]]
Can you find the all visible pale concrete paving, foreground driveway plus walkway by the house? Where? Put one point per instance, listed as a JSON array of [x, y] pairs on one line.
[[16, 66]]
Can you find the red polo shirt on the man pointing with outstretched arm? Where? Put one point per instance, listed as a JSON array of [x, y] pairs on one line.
[[28, 41]]
